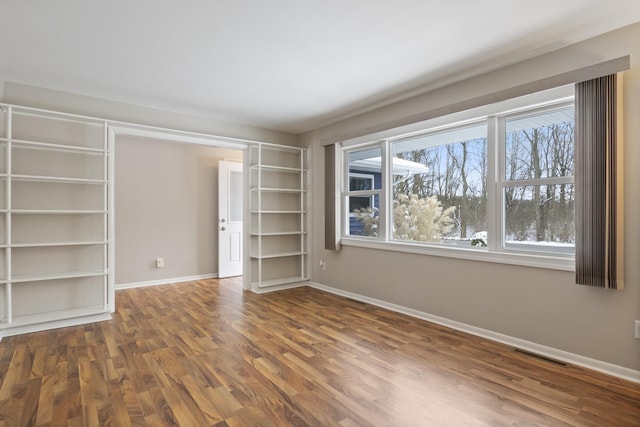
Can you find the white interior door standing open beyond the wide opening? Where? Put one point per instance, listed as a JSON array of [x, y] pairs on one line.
[[229, 219]]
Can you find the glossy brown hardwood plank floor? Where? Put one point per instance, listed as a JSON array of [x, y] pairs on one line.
[[207, 353]]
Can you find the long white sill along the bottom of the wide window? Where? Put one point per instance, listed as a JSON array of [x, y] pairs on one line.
[[552, 262]]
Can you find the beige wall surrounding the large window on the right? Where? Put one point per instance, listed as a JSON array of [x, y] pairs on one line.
[[538, 305]]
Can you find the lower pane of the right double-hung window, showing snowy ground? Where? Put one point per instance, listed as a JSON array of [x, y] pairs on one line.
[[540, 217]]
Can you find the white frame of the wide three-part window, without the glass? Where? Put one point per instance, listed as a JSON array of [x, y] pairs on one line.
[[495, 116]]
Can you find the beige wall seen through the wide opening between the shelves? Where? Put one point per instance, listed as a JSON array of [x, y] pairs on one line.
[[166, 206]]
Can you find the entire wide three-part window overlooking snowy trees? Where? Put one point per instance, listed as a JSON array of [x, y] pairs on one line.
[[500, 183]]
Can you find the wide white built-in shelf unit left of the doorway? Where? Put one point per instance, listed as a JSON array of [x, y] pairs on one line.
[[55, 231]]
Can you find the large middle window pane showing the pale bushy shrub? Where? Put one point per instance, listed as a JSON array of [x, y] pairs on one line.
[[439, 186]]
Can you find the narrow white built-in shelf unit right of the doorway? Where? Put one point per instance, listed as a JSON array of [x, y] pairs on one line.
[[278, 206]]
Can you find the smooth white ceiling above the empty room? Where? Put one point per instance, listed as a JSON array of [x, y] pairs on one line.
[[289, 65]]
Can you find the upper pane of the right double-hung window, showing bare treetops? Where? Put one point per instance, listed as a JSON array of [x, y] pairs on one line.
[[540, 145]]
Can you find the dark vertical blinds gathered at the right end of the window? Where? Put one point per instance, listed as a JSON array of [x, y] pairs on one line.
[[598, 216]]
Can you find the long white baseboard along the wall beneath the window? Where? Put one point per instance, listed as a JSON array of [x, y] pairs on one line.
[[550, 352]]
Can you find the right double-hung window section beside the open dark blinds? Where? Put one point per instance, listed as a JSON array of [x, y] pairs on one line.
[[537, 189]]
